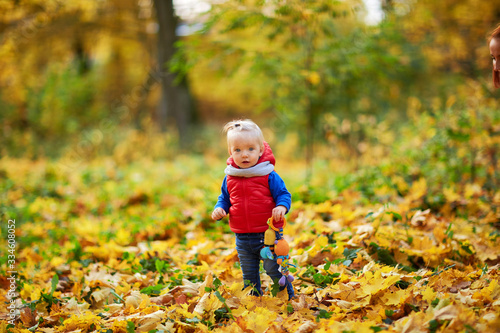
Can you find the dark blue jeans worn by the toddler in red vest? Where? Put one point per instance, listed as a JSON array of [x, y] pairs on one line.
[[248, 247]]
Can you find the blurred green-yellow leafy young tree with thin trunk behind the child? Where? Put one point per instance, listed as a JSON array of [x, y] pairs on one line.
[[305, 59]]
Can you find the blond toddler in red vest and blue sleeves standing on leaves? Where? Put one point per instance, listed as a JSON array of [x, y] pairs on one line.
[[252, 192]]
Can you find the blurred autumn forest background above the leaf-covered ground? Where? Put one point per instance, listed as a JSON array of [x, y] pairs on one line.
[[81, 79]]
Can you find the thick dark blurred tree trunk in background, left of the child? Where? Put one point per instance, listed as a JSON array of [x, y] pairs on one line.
[[176, 102]]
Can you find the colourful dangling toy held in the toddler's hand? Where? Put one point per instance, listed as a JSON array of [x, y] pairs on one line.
[[275, 243]]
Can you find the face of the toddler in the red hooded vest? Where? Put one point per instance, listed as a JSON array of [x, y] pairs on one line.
[[245, 149]]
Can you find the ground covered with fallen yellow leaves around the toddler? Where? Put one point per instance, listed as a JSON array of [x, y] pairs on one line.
[[123, 248]]
